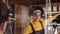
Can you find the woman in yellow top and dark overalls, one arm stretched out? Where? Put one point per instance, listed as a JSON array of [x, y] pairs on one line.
[[38, 26]]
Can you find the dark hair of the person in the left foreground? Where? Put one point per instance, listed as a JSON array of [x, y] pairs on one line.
[[4, 12]]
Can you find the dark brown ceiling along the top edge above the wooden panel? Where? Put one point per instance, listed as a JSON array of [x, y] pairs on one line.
[[30, 2]]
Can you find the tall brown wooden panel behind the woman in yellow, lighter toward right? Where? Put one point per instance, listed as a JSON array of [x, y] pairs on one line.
[[21, 16]]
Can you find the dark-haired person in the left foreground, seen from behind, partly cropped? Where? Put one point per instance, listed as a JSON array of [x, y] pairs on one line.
[[4, 14]]
